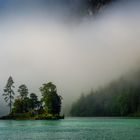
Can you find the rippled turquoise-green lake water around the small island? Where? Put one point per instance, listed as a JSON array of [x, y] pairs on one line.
[[71, 129]]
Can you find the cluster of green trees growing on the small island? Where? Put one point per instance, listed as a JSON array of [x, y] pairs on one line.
[[50, 102]]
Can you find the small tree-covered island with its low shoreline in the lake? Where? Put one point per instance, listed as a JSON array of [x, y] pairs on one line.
[[28, 107]]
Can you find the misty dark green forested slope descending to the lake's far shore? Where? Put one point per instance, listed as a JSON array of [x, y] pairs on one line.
[[119, 98]]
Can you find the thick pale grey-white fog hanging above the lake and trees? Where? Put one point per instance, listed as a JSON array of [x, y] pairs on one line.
[[40, 43]]
